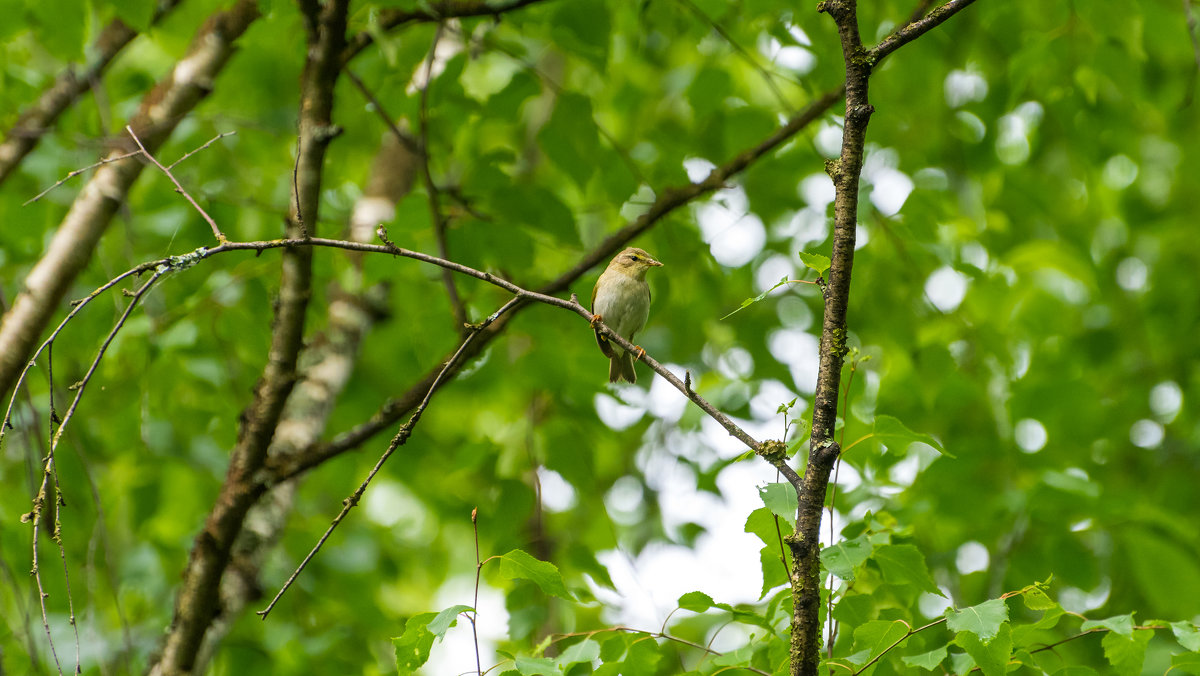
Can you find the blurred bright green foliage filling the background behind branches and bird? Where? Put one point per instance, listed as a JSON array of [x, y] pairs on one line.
[[1022, 289]]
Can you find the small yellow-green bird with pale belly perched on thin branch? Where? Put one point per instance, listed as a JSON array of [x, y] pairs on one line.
[[622, 300]]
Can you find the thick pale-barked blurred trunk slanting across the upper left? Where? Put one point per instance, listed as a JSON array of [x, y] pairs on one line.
[[70, 250]]
